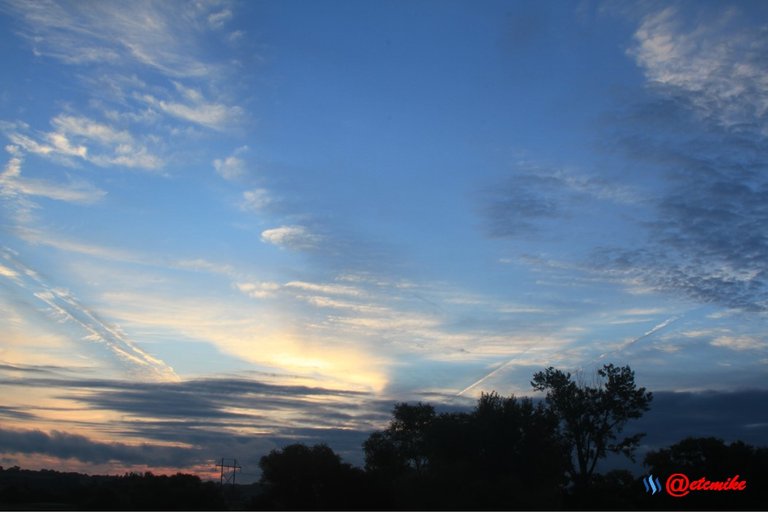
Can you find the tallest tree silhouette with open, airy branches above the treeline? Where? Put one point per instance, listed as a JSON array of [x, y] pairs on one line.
[[593, 417]]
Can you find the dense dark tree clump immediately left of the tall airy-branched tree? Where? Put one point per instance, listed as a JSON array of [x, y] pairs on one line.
[[505, 454]]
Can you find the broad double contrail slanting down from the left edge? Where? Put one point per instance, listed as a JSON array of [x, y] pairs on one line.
[[69, 309]]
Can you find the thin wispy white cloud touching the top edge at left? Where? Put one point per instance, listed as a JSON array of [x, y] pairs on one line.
[[165, 37]]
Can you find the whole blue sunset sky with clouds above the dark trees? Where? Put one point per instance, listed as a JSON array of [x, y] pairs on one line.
[[229, 226]]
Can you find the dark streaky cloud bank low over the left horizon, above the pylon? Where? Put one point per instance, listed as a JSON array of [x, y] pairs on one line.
[[192, 422]]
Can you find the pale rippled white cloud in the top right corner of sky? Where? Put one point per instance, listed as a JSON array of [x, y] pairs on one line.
[[715, 59]]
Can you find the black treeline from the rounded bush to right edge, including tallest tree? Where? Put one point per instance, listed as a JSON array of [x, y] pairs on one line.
[[514, 454]]
